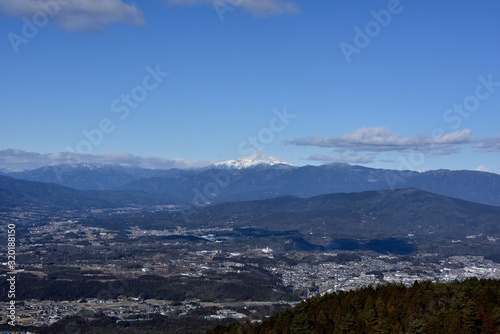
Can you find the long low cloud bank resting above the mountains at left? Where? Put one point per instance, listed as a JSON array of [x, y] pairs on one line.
[[18, 159]]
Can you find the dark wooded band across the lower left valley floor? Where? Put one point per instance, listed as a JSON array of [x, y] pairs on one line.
[[252, 284]]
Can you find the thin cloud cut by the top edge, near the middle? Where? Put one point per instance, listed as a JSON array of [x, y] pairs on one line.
[[255, 7]]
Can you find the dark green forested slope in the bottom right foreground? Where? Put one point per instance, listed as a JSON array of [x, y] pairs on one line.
[[471, 306]]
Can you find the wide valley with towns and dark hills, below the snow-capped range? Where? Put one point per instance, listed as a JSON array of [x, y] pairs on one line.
[[94, 256]]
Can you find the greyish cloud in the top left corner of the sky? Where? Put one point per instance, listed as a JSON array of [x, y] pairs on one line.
[[76, 14]]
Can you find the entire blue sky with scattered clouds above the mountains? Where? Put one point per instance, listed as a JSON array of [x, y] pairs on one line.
[[178, 83]]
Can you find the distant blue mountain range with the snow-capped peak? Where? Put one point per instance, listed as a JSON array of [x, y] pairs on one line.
[[240, 180]]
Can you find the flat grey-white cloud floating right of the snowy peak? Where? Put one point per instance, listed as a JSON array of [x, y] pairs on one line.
[[381, 139]]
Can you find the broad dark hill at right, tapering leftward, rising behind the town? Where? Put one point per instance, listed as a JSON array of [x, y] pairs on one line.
[[399, 221]]
